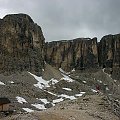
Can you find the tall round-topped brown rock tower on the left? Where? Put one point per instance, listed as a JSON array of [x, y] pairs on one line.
[[21, 44]]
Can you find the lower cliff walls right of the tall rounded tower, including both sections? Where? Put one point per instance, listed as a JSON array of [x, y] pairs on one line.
[[85, 53]]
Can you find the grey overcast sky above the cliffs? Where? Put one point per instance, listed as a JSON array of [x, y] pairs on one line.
[[67, 19]]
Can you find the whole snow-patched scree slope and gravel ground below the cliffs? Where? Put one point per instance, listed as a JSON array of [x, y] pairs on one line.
[[60, 95]]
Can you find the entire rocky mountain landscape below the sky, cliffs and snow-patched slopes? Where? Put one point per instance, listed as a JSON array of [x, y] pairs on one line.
[[60, 76]]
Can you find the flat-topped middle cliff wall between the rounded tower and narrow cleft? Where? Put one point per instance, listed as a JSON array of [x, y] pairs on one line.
[[78, 53]]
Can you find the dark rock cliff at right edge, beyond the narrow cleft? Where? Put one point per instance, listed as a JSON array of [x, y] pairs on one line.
[[109, 54]]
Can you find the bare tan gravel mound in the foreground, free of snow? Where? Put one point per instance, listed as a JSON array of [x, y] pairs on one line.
[[89, 107]]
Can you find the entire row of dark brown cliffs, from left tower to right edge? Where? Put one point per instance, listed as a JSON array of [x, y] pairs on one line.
[[22, 48]]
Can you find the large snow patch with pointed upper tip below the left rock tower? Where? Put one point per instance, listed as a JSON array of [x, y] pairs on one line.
[[41, 82]]
